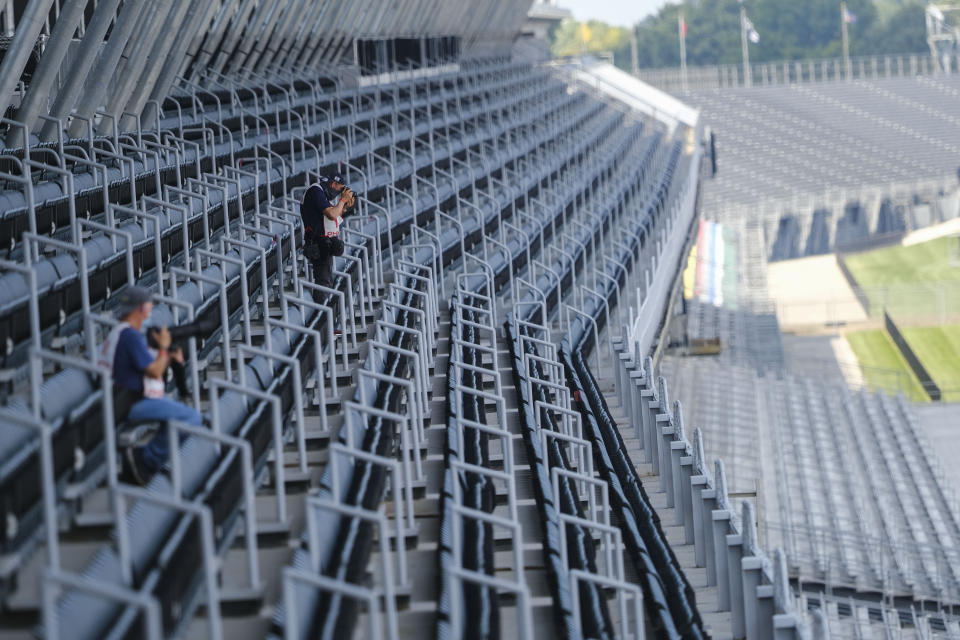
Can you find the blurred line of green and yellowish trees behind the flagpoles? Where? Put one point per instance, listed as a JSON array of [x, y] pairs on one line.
[[789, 30]]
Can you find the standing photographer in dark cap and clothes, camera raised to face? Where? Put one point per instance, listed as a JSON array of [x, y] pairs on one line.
[[321, 222]]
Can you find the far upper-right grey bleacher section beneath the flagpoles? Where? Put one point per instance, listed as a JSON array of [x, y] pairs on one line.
[[835, 165]]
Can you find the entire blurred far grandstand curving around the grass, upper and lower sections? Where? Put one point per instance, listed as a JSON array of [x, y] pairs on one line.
[[841, 479]]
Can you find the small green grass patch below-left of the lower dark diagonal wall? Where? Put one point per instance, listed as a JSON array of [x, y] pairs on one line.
[[883, 366]]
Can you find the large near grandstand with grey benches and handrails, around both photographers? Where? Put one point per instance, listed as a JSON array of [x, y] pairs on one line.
[[421, 449]]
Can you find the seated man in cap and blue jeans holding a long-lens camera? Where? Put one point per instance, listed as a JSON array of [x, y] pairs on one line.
[[138, 376]]
